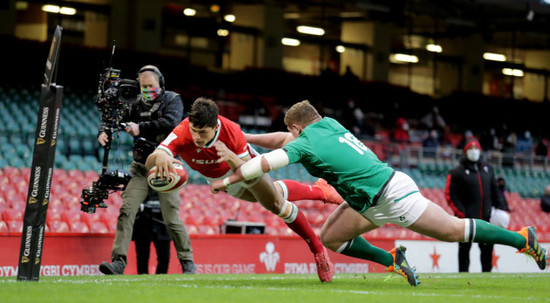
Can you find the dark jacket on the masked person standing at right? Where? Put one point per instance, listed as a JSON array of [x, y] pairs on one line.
[[471, 190]]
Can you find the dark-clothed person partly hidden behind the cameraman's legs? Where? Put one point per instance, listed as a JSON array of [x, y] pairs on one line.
[[149, 227]]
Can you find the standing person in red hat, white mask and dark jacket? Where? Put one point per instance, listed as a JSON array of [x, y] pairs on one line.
[[471, 190]]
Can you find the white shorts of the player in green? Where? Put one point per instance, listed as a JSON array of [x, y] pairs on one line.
[[400, 203]]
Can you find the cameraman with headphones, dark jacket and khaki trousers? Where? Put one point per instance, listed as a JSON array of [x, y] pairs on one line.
[[153, 116]]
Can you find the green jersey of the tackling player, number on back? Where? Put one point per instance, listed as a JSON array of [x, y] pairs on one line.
[[327, 150]]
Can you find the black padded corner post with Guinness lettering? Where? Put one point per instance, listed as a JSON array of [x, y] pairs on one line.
[[34, 223]]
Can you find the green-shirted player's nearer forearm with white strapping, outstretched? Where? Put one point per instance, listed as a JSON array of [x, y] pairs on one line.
[[253, 168]]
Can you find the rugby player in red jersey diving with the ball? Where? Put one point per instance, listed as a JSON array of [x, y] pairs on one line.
[[215, 146]]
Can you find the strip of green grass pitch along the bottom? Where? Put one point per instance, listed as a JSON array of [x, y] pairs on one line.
[[474, 287]]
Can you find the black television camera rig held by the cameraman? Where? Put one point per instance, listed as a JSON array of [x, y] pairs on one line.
[[115, 95]]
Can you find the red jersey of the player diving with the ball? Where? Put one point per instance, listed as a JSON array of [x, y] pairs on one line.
[[203, 159]]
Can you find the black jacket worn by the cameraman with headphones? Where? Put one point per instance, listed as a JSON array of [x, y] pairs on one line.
[[156, 120]]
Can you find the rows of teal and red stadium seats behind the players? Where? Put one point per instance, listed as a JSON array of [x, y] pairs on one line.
[[78, 161]]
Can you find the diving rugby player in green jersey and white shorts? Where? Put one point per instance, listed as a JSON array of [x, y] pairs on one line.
[[375, 193]]
